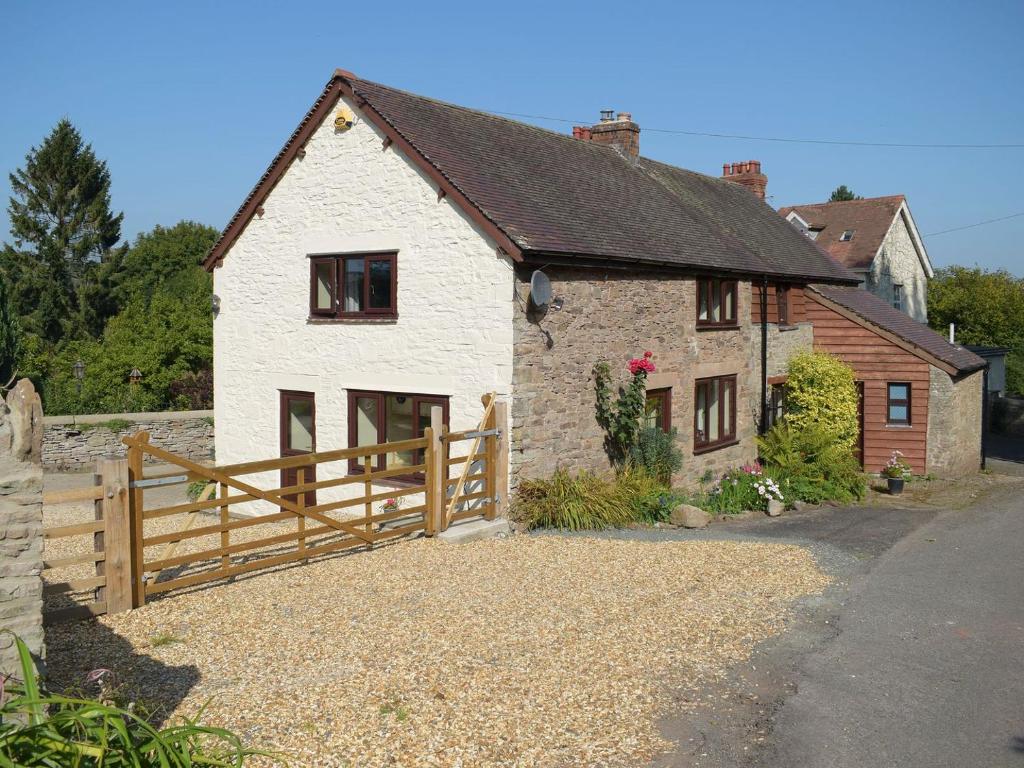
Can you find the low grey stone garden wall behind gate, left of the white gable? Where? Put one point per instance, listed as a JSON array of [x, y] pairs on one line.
[[76, 443]]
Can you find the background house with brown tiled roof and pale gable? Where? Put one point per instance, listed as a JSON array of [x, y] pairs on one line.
[[877, 239]]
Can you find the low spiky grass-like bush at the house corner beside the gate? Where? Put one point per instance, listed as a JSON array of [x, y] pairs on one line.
[[588, 501]]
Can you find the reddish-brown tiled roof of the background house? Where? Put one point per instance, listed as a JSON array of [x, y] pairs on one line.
[[870, 220]]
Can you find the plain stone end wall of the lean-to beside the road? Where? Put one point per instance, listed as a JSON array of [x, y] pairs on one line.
[[955, 417]]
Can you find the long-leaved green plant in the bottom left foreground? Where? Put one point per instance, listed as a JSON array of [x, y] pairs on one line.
[[38, 729]]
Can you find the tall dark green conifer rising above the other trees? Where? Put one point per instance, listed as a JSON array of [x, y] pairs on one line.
[[62, 225]]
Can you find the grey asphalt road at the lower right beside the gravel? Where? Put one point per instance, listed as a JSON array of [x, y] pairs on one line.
[[927, 668]]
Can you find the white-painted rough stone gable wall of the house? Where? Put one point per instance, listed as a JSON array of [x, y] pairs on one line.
[[455, 302]]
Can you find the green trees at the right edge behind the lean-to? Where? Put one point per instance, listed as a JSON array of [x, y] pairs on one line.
[[988, 309]]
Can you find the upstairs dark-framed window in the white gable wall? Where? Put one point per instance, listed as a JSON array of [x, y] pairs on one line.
[[349, 286]]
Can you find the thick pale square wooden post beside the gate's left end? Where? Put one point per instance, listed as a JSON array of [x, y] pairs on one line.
[[116, 542]]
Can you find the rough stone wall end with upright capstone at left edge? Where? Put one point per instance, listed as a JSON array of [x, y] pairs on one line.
[[21, 525]]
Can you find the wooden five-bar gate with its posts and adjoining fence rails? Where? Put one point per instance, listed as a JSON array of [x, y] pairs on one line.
[[237, 526]]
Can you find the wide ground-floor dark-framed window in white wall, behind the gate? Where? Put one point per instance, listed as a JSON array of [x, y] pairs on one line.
[[391, 417]]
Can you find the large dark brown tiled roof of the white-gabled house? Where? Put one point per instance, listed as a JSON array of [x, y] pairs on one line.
[[554, 195]]
